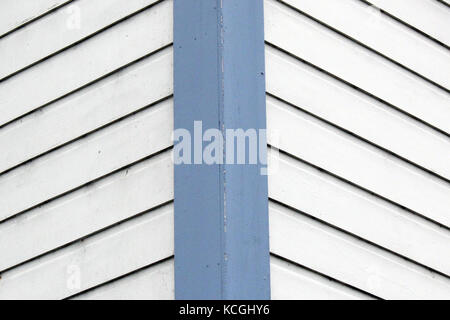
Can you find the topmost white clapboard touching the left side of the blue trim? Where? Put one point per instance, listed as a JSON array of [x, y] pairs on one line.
[[86, 62]]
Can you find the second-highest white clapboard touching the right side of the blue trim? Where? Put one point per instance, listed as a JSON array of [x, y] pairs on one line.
[[330, 99]]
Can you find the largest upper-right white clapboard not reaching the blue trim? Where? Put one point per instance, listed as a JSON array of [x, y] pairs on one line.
[[382, 33]]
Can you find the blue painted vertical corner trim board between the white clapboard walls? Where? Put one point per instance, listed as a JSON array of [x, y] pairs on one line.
[[221, 209]]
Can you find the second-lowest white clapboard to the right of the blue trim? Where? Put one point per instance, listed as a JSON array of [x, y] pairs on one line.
[[347, 259]]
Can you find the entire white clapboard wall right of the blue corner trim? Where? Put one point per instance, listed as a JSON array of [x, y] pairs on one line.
[[359, 101]]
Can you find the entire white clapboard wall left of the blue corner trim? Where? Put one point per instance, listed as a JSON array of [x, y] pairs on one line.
[[86, 179]]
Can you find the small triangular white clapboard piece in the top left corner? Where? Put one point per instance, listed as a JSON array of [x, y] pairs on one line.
[[15, 13]]
